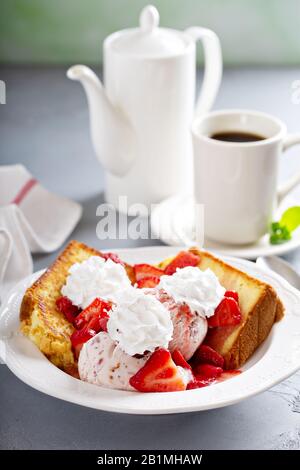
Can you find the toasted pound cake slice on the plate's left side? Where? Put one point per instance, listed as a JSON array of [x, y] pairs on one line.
[[40, 319]]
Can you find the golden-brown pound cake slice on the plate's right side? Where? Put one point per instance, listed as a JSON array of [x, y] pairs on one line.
[[260, 307]]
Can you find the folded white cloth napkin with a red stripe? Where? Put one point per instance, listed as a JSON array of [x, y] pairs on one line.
[[31, 220]]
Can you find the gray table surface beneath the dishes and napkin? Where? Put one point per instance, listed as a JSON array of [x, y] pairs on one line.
[[44, 125]]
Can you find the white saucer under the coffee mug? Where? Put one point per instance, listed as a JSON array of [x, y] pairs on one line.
[[172, 221]]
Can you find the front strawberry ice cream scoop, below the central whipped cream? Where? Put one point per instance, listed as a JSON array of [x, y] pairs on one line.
[[102, 362]]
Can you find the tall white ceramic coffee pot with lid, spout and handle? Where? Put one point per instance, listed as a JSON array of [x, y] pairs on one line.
[[140, 121]]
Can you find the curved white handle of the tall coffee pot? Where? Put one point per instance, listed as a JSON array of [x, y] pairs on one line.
[[212, 70]]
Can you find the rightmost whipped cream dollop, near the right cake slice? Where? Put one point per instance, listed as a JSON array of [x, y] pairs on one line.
[[200, 290]]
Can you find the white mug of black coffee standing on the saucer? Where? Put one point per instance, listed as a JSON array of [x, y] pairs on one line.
[[238, 182]]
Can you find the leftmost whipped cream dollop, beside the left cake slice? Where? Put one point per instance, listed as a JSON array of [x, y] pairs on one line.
[[93, 278]]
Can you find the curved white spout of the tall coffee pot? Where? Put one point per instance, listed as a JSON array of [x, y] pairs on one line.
[[112, 134]]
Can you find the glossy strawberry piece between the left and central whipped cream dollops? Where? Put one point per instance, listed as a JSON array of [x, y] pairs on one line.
[[95, 316]]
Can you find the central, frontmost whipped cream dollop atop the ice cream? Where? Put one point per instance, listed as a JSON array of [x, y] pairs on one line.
[[139, 322]]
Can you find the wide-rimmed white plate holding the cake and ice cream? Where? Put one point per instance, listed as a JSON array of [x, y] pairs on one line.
[[275, 360]]
